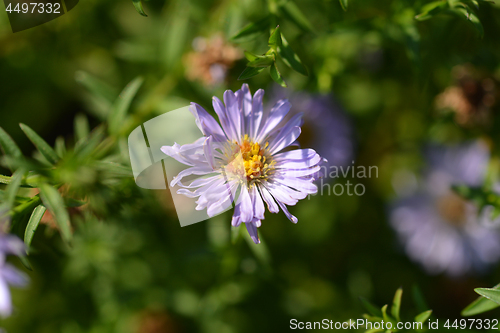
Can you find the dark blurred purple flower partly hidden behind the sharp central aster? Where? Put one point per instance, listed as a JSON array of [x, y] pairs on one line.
[[326, 126]]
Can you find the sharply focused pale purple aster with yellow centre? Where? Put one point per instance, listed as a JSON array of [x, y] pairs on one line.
[[246, 159]]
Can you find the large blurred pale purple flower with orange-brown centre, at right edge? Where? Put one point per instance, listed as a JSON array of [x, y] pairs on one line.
[[439, 229]]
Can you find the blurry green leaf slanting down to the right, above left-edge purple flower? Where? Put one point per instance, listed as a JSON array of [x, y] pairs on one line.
[[55, 203]]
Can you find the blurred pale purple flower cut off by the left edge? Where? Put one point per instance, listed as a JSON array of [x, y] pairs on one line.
[[9, 275]]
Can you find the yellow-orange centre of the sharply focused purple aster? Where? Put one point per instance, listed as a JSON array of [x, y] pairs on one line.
[[249, 161]]
